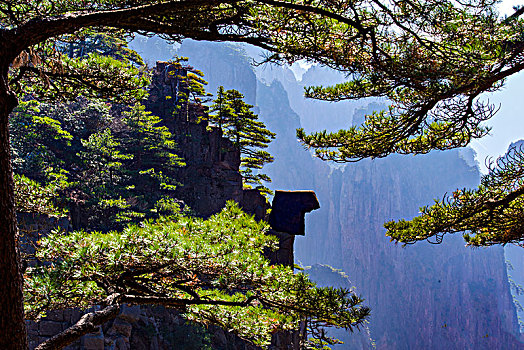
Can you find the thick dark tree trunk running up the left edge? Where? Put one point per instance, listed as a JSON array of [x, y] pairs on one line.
[[12, 325]]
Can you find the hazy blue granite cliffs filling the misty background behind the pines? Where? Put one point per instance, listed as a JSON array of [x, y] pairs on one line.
[[422, 296]]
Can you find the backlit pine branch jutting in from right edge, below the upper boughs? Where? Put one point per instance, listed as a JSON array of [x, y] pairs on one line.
[[491, 214]]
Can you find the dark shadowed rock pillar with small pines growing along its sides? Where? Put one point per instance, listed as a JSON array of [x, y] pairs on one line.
[[210, 176]]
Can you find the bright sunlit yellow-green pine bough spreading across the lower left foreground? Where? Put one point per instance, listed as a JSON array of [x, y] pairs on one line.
[[211, 269]]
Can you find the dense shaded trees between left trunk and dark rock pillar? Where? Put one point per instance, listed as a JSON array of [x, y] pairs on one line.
[[116, 174]]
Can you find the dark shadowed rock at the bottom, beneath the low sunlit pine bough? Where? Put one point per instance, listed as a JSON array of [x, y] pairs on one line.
[[137, 328]]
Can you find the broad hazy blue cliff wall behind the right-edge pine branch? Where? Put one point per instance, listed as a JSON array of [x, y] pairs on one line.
[[422, 296]]
